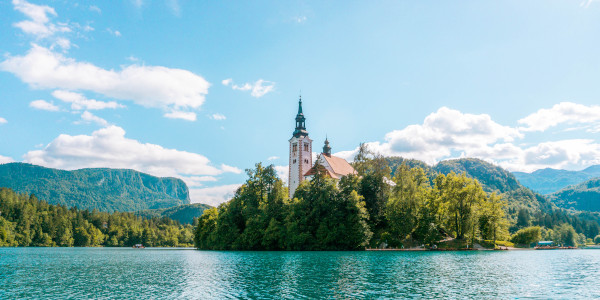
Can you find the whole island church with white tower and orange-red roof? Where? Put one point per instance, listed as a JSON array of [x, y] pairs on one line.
[[301, 165]]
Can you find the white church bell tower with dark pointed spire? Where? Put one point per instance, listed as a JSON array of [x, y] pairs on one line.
[[300, 152]]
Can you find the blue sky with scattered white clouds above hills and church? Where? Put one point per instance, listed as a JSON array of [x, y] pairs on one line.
[[202, 90]]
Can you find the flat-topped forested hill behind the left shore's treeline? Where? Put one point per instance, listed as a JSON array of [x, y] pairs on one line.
[[102, 189]]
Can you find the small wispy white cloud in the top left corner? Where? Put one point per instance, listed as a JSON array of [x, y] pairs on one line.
[[38, 24]]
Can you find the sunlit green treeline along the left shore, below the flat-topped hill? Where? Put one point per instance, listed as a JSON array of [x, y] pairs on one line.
[[27, 221]]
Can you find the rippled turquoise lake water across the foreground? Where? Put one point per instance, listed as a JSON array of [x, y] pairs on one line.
[[190, 274]]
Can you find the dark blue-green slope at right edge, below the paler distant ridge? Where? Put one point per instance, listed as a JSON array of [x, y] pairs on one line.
[[584, 196]]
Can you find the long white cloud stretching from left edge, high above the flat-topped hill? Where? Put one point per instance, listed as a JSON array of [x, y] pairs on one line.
[[149, 86]]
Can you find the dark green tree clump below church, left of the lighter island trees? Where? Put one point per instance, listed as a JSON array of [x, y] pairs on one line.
[[260, 217]]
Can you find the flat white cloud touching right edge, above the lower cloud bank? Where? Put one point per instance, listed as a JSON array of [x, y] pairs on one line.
[[564, 112]]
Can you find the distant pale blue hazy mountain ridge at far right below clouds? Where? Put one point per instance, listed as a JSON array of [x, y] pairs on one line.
[[547, 181]]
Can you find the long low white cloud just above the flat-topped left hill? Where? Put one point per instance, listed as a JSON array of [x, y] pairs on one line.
[[109, 148]]
